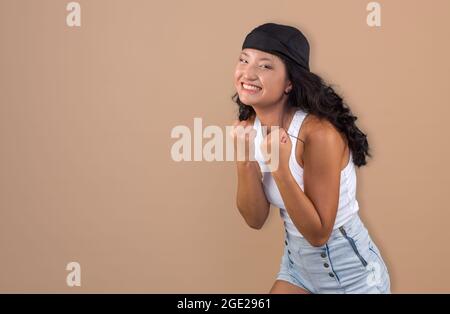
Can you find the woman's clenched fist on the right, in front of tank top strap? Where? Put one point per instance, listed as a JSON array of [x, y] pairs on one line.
[[277, 139]]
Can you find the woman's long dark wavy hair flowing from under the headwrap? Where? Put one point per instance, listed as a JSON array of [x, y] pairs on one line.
[[311, 94]]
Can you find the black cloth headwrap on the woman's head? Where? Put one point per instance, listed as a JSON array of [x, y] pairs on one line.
[[276, 38]]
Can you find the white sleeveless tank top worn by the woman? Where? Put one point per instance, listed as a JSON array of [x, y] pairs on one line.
[[348, 205]]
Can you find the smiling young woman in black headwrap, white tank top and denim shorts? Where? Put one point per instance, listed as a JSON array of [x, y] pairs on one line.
[[327, 247]]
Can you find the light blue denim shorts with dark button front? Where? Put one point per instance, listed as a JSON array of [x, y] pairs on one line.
[[350, 262]]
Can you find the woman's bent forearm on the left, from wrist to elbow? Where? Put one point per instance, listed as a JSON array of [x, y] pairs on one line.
[[251, 200]]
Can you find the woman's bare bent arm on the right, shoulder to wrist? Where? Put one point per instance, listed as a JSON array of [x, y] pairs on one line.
[[314, 210]]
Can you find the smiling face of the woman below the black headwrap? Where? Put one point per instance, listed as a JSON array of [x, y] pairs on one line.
[[260, 78]]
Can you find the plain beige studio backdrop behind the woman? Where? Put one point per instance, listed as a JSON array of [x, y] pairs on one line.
[[86, 114]]
